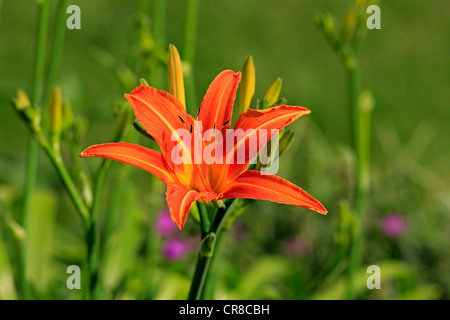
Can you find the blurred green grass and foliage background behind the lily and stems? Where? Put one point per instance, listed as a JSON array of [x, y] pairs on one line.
[[405, 65]]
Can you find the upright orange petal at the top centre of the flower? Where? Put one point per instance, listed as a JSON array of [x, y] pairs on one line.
[[217, 105]]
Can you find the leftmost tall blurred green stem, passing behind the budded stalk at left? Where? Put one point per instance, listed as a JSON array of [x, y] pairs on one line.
[[33, 148]]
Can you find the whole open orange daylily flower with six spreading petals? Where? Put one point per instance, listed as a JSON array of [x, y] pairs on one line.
[[162, 114]]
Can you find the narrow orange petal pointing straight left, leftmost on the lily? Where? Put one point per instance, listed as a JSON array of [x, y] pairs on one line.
[[135, 155]]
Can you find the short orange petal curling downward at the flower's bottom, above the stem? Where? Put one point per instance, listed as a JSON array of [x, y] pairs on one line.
[[180, 200]]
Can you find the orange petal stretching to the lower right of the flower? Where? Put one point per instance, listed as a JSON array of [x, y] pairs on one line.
[[253, 185]]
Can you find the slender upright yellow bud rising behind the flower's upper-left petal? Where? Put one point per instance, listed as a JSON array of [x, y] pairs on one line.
[[176, 81]]
